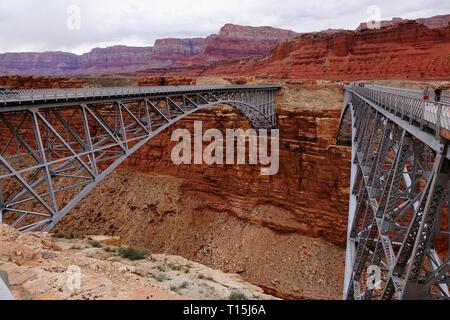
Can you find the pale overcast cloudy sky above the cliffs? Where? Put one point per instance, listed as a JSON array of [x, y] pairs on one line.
[[80, 25]]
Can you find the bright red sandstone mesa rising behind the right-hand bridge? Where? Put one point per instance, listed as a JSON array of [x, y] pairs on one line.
[[405, 51]]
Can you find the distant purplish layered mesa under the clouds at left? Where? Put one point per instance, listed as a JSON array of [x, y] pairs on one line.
[[232, 42]]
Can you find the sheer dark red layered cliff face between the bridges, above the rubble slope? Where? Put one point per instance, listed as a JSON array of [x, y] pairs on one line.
[[308, 196]]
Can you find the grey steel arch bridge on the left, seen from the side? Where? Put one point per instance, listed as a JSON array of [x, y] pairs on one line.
[[57, 145]]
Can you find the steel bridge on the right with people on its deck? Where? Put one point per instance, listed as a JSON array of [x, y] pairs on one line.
[[399, 228]]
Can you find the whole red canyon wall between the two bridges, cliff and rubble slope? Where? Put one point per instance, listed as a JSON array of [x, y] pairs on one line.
[[286, 233]]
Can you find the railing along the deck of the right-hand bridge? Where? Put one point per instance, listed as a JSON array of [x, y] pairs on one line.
[[431, 114]]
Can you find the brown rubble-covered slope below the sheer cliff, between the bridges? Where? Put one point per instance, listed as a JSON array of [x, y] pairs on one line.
[[166, 215]]
